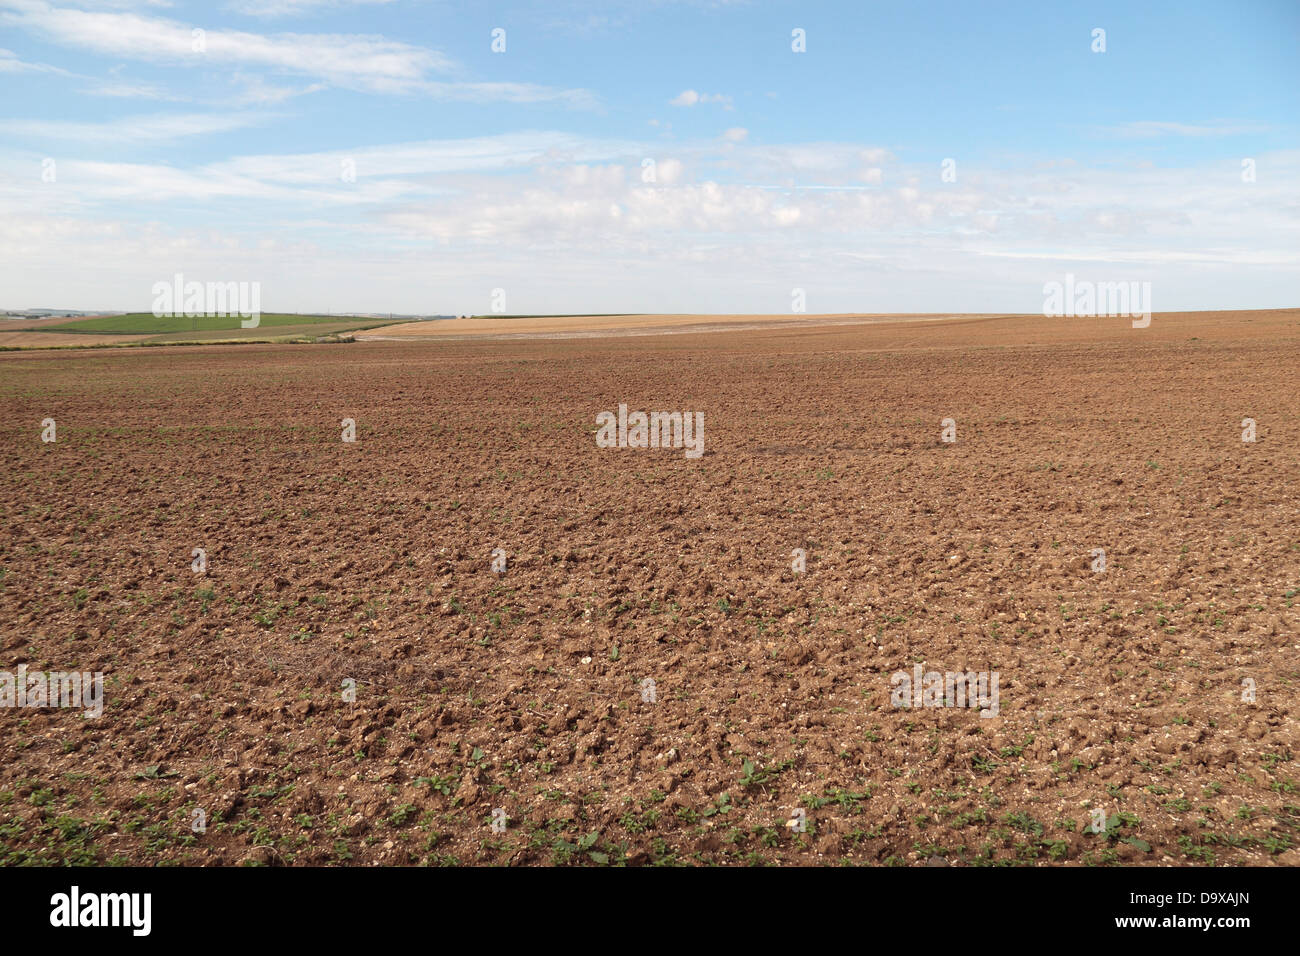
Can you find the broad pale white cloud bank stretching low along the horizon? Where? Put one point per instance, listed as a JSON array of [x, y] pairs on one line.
[[571, 222]]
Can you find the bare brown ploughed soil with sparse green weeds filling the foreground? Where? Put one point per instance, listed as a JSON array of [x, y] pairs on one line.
[[371, 563]]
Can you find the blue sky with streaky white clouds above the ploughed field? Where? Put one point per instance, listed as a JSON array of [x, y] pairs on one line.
[[380, 157]]
